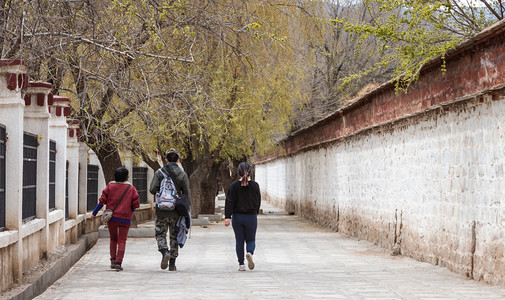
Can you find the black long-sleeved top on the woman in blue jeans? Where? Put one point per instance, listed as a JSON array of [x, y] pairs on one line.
[[242, 199]]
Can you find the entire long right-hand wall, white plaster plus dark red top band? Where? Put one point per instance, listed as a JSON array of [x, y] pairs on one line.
[[421, 174]]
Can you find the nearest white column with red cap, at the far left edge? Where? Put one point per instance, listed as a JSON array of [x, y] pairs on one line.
[[12, 79]]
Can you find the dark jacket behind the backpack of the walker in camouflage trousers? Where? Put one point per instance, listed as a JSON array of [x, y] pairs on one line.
[[181, 181]]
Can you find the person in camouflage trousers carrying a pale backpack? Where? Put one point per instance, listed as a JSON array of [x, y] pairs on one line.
[[167, 215]]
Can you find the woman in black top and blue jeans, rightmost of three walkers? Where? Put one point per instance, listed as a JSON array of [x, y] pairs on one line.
[[242, 206]]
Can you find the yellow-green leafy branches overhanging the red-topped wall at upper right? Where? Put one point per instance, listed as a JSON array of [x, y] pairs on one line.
[[409, 33]]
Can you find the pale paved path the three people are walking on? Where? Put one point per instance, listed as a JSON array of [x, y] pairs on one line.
[[294, 260]]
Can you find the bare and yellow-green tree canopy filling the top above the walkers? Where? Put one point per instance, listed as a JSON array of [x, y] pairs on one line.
[[222, 81]]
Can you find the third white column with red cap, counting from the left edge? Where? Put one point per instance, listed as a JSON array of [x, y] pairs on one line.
[[60, 109]]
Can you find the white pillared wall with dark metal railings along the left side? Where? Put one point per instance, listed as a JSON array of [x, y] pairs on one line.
[[61, 217]]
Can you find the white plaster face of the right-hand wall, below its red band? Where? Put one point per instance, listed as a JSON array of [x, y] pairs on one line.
[[435, 174]]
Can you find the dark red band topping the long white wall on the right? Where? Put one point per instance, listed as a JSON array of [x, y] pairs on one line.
[[475, 68]]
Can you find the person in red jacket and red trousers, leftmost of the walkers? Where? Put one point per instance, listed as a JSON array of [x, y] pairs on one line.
[[120, 222]]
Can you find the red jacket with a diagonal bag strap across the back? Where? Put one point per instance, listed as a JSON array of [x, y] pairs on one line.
[[111, 195]]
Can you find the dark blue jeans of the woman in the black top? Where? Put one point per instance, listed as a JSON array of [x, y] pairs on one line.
[[244, 227]]
